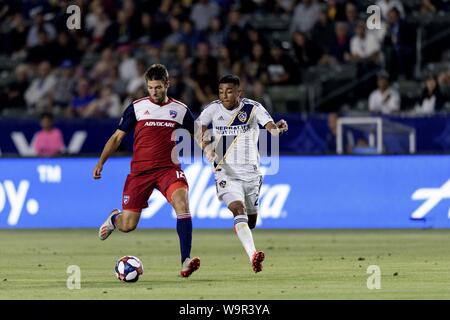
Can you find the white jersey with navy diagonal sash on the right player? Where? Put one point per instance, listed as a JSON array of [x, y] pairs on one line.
[[236, 134]]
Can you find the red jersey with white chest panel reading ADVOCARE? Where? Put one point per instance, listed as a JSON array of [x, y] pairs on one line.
[[154, 126]]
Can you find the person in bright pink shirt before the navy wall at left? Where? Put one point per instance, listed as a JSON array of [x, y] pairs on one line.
[[48, 142]]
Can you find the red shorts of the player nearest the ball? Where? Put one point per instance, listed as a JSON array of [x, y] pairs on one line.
[[139, 186]]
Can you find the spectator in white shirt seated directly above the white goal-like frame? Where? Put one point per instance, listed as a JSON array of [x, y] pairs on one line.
[[385, 99]]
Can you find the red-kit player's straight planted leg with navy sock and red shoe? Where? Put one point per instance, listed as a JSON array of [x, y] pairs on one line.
[[177, 195]]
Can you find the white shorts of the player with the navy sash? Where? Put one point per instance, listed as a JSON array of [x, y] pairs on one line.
[[230, 190]]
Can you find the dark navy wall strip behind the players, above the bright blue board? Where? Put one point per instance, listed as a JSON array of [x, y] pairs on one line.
[[308, 134]]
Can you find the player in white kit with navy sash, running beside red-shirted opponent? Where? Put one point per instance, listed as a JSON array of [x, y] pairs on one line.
[[232, 147]]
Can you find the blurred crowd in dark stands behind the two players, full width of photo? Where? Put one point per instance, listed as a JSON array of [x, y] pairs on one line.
[[292, 56]]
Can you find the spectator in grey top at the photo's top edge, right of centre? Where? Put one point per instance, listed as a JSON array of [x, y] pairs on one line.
[[306, 14]]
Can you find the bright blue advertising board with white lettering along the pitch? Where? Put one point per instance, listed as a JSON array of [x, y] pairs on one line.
[[307, 192]]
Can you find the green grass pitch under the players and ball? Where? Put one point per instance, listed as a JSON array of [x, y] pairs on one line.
[[300, 264]]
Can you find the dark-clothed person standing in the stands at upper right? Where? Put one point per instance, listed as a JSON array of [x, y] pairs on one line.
[[399, 45]]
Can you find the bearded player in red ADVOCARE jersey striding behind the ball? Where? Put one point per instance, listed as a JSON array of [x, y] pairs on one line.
[[154, 120]]
